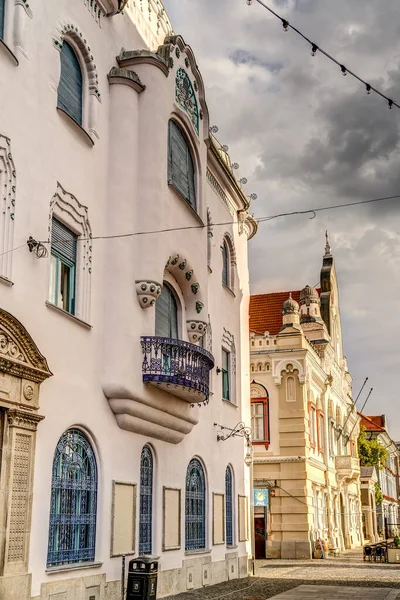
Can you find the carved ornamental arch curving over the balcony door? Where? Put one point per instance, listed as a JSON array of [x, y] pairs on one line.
[[192, 292]]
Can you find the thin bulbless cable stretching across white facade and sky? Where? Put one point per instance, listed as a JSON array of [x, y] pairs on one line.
[[312, 211]]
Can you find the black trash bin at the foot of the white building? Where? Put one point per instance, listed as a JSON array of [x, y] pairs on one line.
[[142, 578]]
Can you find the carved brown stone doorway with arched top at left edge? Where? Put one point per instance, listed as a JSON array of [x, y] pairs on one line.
[[21, 362]]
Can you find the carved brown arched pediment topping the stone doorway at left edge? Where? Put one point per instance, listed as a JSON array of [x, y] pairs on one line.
[[19, 355]]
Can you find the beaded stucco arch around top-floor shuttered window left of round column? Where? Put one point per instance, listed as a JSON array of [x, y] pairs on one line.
[[91, 96]]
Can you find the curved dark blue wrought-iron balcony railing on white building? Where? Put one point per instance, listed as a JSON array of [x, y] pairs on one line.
[[178, 367]]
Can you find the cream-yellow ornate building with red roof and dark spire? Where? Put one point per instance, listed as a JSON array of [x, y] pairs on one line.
[[304, 422]]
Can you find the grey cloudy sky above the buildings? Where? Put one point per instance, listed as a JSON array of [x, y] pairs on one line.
[[305, 136]]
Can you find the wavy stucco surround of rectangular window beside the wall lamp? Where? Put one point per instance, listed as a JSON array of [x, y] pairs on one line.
[[66, 208]]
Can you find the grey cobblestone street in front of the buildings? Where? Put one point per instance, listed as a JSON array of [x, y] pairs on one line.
[[346, 576]]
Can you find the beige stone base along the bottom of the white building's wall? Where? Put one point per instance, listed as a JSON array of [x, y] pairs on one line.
[[196, 572]]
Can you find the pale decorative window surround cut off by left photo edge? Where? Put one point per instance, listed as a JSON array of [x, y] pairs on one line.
[[8, 179]]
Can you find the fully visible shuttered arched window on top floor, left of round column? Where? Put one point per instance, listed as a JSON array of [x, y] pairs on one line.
[[70, 87]]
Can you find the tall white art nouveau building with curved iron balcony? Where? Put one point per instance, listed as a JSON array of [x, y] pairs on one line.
[[123, 308]]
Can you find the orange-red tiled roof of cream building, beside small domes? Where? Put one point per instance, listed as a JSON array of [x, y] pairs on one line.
[[266, 311]]
